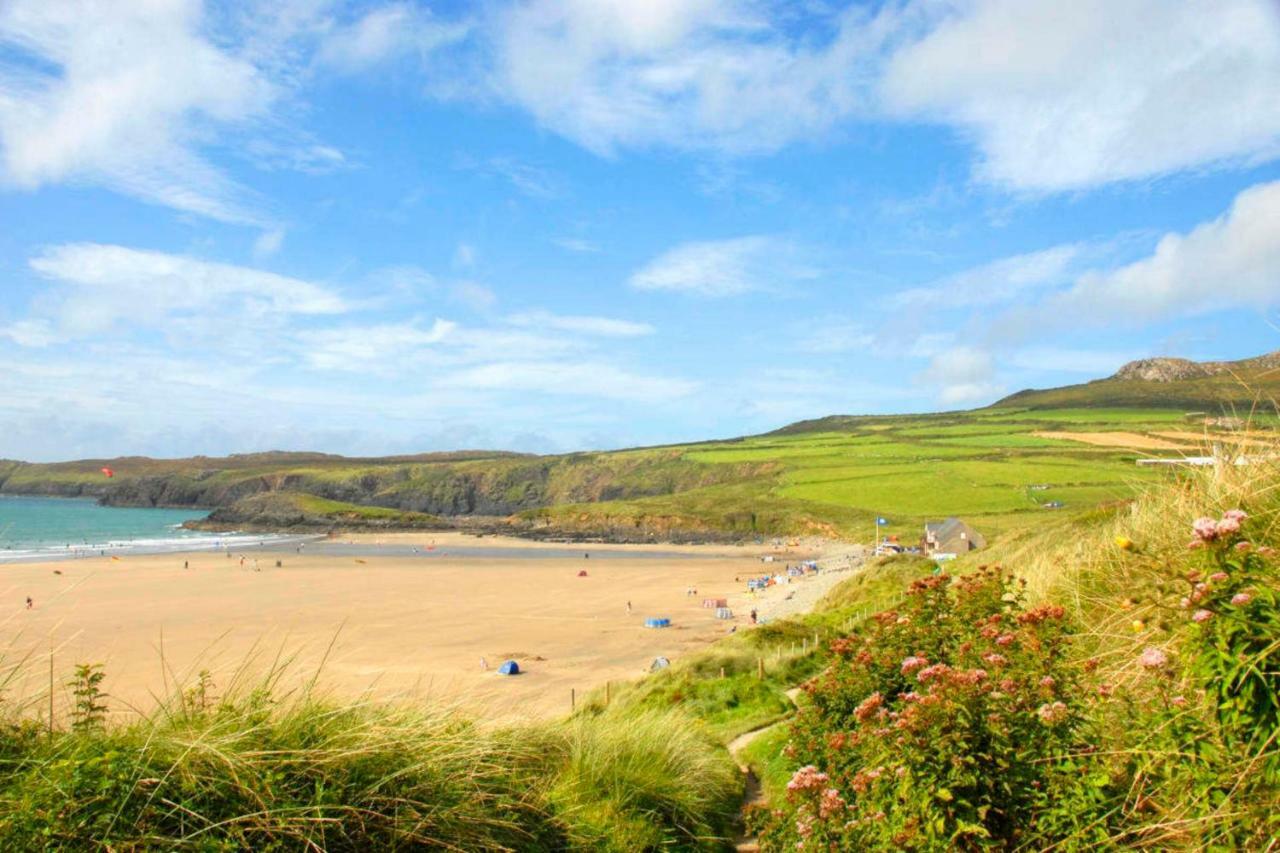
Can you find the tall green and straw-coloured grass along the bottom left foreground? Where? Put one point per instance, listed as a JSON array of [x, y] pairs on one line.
[[271, 772]]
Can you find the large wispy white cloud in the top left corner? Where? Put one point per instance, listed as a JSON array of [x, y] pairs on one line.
[[122, 95]]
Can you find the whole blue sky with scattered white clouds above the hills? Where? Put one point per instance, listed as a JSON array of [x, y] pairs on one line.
[[547, 226]]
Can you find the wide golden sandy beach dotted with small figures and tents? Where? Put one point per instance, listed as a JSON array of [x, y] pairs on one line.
[[400, 627]]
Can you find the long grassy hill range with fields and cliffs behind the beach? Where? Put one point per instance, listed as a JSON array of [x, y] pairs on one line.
[[998, 467]]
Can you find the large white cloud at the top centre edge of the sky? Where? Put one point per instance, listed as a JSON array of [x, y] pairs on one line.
[[697, 75]]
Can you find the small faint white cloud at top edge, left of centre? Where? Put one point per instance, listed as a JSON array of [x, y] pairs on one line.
[[386, 34]]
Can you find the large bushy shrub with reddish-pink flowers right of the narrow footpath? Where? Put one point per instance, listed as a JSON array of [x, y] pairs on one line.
[[954, 722]]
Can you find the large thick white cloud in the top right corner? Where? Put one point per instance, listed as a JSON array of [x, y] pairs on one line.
[[1075, 97]]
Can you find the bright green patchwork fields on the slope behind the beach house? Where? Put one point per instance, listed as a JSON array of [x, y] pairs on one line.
[[989, 467]]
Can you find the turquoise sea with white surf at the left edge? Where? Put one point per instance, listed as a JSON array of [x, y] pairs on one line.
[[47, 528]]
